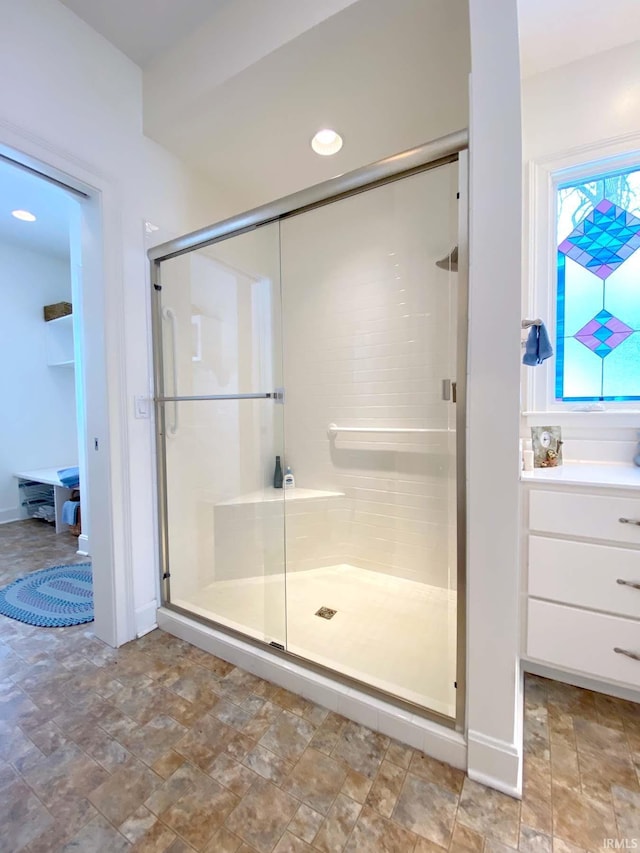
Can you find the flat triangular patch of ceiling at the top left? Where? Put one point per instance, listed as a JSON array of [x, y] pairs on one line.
[[144, 29]]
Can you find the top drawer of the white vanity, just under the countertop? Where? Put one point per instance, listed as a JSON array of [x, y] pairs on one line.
[[591, 516]]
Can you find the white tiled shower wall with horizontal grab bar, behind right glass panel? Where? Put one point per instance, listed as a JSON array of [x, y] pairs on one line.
[[369, 335]]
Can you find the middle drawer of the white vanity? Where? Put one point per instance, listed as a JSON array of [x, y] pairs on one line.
[[585, 575]]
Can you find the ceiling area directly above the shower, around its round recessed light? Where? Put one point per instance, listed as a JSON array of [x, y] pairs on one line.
[[386, 75]]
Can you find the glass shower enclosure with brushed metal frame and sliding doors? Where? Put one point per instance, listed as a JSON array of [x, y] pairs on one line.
[[325, 333]]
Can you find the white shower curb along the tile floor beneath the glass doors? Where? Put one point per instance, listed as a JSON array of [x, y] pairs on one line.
[[435, 740]]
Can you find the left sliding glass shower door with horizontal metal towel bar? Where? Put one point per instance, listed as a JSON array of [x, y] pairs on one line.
[[221, 430]]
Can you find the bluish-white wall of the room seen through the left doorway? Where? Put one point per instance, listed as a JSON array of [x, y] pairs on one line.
[[38, 426]]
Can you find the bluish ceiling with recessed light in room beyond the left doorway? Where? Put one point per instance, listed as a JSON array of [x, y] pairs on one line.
[[52, 206]]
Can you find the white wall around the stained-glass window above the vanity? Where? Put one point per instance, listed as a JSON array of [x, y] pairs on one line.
[[560, 130]]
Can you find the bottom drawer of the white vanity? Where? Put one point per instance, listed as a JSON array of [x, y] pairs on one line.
[[584, 641]]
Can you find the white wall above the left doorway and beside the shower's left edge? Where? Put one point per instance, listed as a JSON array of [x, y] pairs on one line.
[[77, 105]]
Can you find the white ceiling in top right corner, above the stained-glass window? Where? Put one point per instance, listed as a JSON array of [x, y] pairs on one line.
[[556, 32]]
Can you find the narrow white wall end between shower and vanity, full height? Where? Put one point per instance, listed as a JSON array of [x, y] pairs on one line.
[[494, 686]]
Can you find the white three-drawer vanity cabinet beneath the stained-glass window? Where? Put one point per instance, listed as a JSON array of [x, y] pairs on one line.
[[581, 576]]
